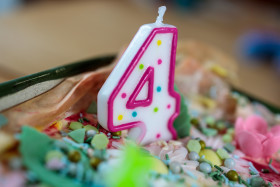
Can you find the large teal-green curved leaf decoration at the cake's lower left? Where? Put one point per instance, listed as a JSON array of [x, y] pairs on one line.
[[33, 147]]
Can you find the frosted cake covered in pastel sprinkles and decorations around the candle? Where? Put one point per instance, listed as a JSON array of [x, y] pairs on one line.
[[224, 138]]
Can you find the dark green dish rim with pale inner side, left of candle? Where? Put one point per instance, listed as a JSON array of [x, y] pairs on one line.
[[22, 89]]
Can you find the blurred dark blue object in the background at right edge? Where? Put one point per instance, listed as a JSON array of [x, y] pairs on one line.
[[261, 46]]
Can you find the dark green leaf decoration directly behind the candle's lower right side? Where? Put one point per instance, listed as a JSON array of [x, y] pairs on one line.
[[182, 123]]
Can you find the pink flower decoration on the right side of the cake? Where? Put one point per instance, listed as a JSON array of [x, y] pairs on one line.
[[254, 139]]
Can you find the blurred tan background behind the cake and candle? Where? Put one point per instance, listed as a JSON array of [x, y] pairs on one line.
[[39, 34]]
